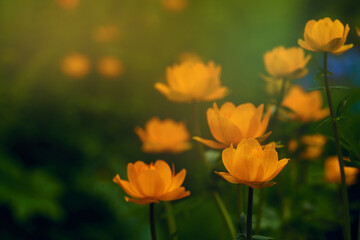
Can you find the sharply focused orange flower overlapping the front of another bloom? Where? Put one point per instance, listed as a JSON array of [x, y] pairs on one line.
[[251, 165]]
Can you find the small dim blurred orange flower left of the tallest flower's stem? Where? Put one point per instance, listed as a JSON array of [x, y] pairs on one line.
[[314, 146]]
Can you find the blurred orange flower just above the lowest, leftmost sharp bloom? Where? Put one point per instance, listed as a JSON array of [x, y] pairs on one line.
[[164, 136]]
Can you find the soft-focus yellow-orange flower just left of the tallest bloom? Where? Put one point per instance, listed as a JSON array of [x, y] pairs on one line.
[[286, 63]]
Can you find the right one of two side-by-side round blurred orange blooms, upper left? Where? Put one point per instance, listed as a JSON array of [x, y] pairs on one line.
[[110, 67]]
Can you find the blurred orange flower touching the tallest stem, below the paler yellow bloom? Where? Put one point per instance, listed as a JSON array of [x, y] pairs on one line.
[[306, 107]]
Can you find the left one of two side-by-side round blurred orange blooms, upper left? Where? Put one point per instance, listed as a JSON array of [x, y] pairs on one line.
[[75, 65]]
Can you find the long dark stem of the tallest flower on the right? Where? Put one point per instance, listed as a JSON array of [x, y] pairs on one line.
[[346, 210]]
